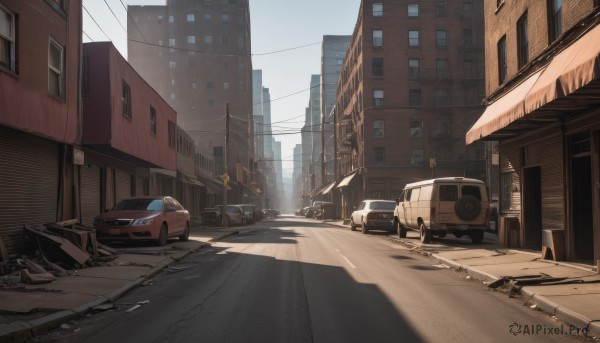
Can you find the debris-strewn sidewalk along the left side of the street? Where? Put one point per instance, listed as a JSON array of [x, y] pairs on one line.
[[29, 310]]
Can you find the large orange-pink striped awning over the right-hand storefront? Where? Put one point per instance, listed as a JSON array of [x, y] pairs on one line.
[[556, 88]]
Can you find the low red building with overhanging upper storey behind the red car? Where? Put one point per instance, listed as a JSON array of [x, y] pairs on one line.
[[130, 145]]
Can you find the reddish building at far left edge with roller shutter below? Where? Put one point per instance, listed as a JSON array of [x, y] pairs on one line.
[[40, 118]]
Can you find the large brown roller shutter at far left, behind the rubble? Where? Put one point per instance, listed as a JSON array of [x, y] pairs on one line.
[[29, 182]]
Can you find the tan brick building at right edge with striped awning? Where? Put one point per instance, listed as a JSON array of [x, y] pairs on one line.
[[543, 106]]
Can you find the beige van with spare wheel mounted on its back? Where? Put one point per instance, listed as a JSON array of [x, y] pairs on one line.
[[440, 206]]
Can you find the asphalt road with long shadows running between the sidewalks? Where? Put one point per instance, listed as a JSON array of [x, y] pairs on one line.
[[296, 280]]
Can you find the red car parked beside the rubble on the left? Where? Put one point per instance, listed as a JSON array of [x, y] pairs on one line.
[[144, 218]]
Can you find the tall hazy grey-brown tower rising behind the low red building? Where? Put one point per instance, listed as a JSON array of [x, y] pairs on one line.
[[197, 56]]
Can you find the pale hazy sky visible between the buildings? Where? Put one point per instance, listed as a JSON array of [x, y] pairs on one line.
[[294, 26]]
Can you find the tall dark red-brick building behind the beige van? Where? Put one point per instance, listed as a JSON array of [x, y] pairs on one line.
[[410, 87]]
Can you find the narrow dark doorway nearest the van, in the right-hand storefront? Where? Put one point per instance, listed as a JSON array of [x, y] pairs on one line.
[[532, 199]]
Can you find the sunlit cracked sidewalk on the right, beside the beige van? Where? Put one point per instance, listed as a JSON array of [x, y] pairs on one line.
[[568, 291]]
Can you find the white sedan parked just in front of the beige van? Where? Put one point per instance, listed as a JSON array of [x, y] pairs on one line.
[[373, 214]]
